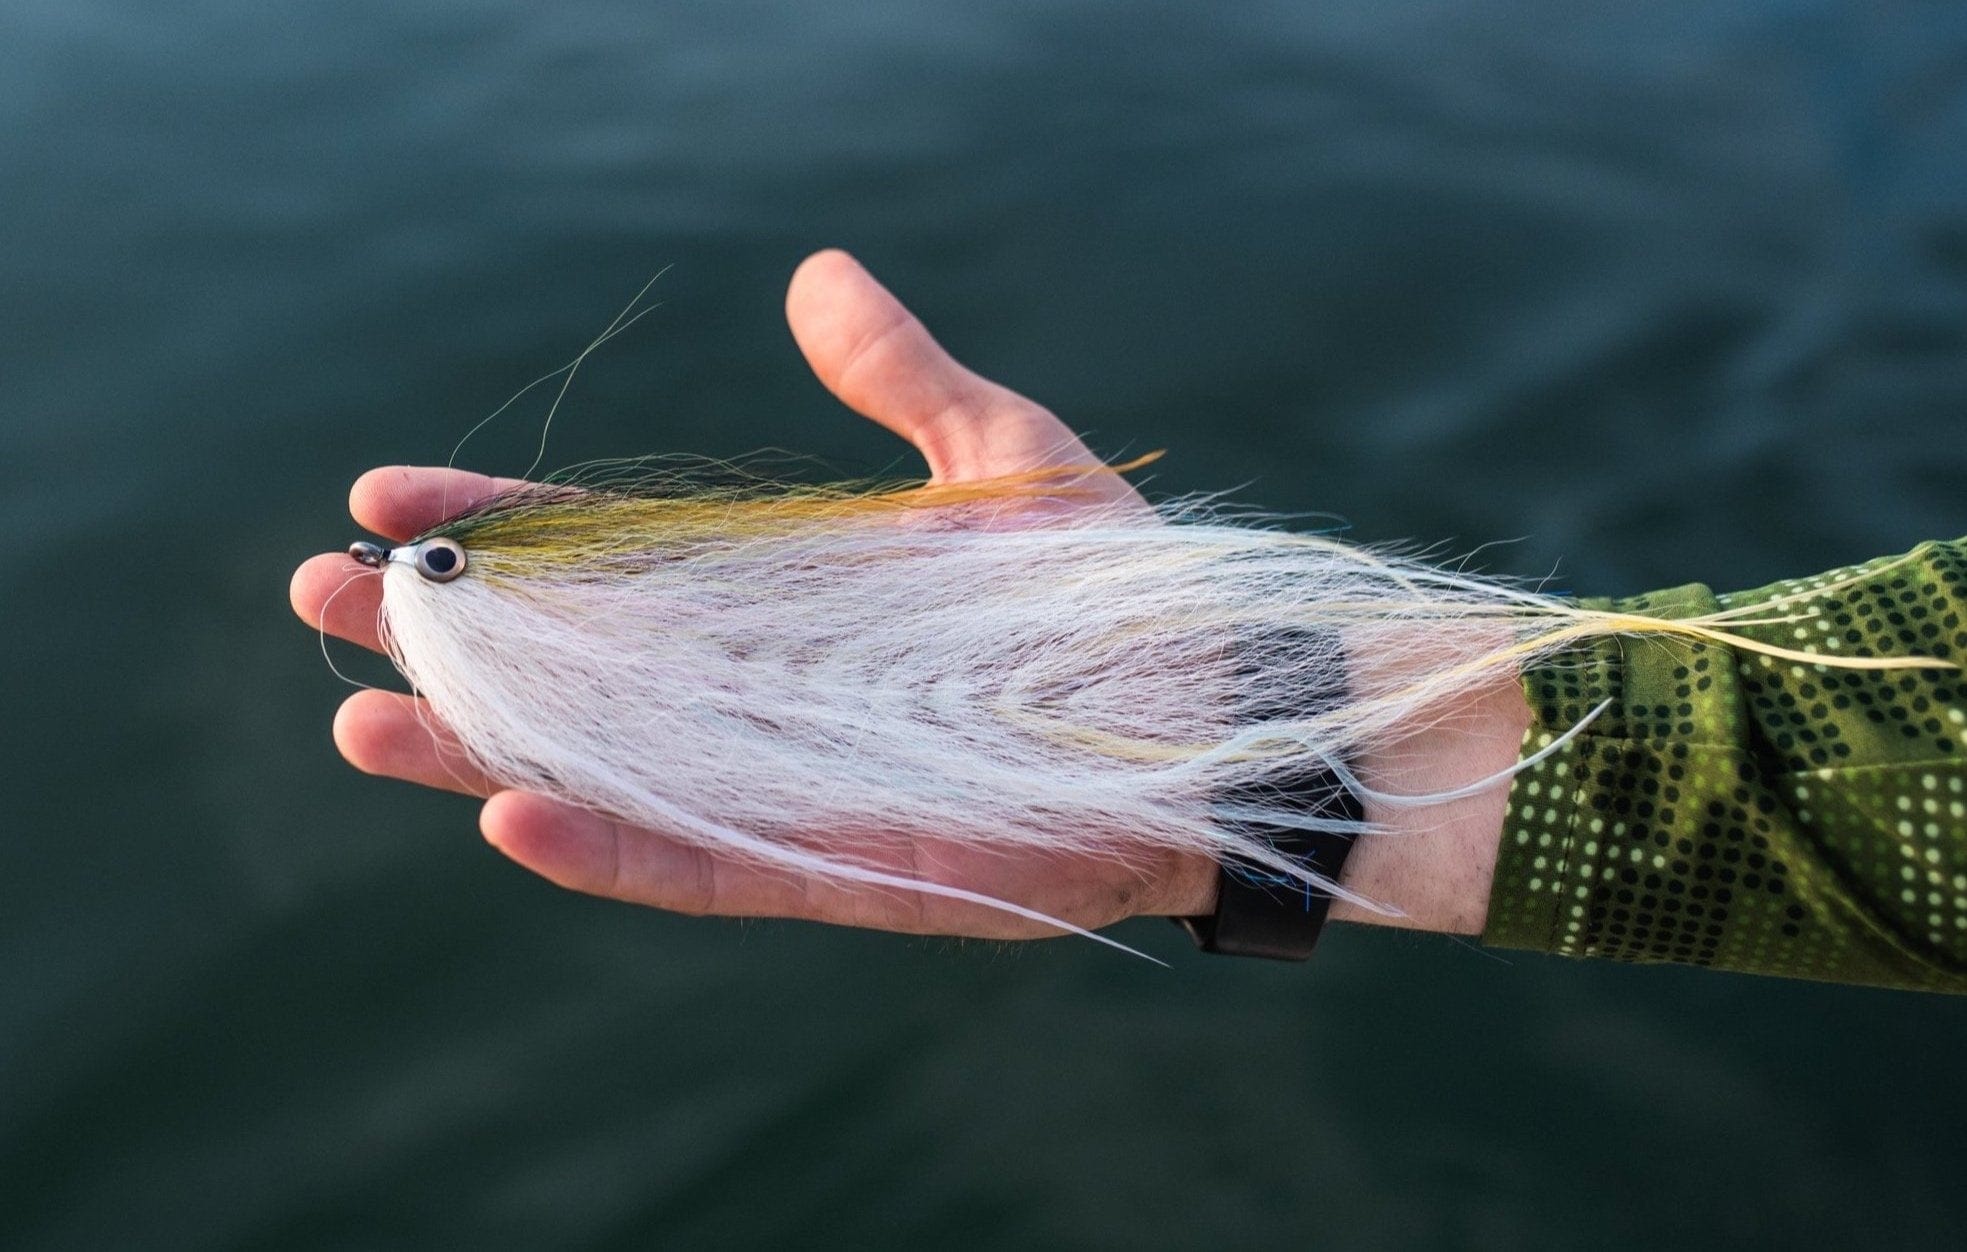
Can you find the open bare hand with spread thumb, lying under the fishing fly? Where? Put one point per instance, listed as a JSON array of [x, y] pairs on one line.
[[870, 353]]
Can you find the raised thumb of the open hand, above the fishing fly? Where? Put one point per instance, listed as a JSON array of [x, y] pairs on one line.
[[884, 365]]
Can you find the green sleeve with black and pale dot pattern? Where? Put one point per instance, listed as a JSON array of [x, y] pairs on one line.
[[1750, 813]]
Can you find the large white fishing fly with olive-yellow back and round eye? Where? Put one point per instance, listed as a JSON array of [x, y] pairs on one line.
[[752, 665]]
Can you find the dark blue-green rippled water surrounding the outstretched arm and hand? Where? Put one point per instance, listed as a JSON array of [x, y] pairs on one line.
[[1669, 292]]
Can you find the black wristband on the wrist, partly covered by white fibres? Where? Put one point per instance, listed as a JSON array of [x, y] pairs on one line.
[[1262, 913]]
